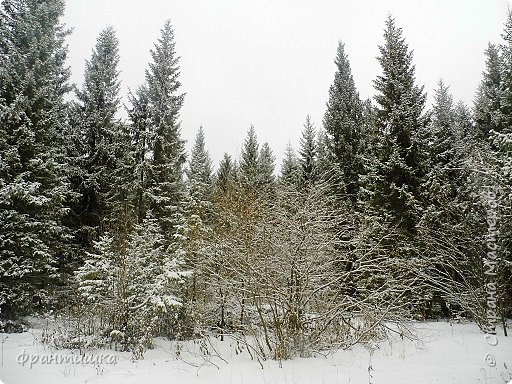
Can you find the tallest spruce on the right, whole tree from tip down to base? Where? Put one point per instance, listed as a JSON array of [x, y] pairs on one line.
[[391, 187]]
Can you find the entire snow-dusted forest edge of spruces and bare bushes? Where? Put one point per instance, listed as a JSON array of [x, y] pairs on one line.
[[378, 217]]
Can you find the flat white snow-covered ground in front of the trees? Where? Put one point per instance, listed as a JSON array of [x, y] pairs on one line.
[[444, 354]]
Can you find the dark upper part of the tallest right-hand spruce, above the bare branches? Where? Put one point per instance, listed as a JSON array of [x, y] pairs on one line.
[[399, 168]]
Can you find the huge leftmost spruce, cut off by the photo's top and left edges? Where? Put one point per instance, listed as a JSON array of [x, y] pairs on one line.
[[33, 186]]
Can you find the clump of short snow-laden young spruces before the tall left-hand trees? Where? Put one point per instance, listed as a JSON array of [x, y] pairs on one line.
[[133, 288]]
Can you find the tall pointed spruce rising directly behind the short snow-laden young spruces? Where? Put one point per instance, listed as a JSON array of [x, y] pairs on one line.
[[161, 154]]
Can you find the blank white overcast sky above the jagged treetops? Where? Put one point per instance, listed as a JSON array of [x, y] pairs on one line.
[[270, 62]]
